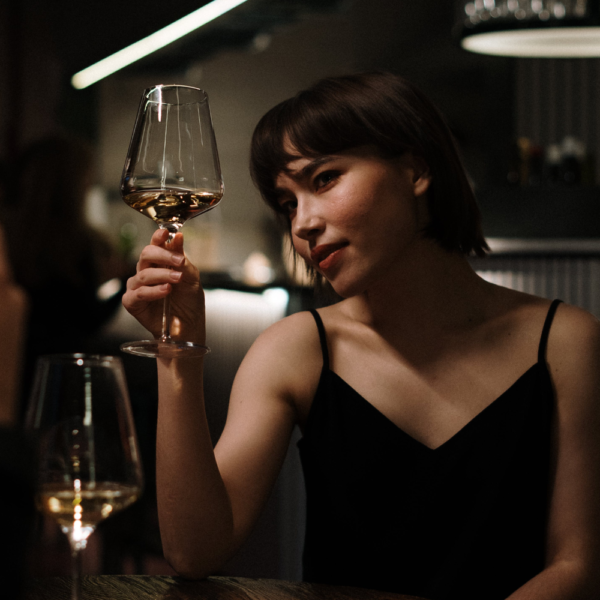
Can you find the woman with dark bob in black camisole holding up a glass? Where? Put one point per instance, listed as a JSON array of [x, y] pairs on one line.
[[449, 425]]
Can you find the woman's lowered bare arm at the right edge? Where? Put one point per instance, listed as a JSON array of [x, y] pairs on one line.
[[574, 527]]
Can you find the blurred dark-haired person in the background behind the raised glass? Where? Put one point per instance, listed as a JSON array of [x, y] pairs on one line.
[[58, 258]]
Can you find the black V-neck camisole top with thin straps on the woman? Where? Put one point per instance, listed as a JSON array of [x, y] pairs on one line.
[[464, 521]]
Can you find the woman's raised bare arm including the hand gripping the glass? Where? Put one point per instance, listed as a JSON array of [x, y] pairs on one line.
[[208, 501]]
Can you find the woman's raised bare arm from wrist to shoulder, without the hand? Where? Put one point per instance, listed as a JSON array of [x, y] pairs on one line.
[[208, 502]]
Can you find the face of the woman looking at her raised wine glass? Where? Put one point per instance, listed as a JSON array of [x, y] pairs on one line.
[[354, 214]]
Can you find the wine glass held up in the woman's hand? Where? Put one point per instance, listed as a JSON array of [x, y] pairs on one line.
[[171, 174]]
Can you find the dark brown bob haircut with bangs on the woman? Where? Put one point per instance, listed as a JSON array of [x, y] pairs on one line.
[[388, 112]]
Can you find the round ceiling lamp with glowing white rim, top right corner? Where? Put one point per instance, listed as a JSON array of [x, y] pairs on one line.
[[531, 28]]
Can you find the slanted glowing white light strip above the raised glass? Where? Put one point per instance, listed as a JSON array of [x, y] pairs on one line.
[[157, 40]]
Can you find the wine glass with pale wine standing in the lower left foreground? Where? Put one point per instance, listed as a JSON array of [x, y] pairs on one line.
[[88, 465]]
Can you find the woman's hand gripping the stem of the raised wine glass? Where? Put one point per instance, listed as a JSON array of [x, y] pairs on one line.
[[164, 269]]
